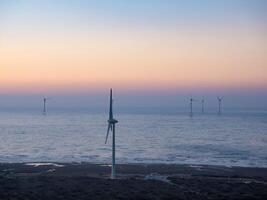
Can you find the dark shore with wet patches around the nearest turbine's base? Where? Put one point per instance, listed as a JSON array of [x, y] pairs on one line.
[[135, 181]]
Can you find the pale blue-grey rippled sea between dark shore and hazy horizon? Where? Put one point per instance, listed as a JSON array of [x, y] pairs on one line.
[[236, 138]]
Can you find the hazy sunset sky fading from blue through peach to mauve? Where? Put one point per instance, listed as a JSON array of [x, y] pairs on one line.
[[152, 50]]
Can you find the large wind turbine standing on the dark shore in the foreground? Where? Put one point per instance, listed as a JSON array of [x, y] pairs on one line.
[[111, 126]]
